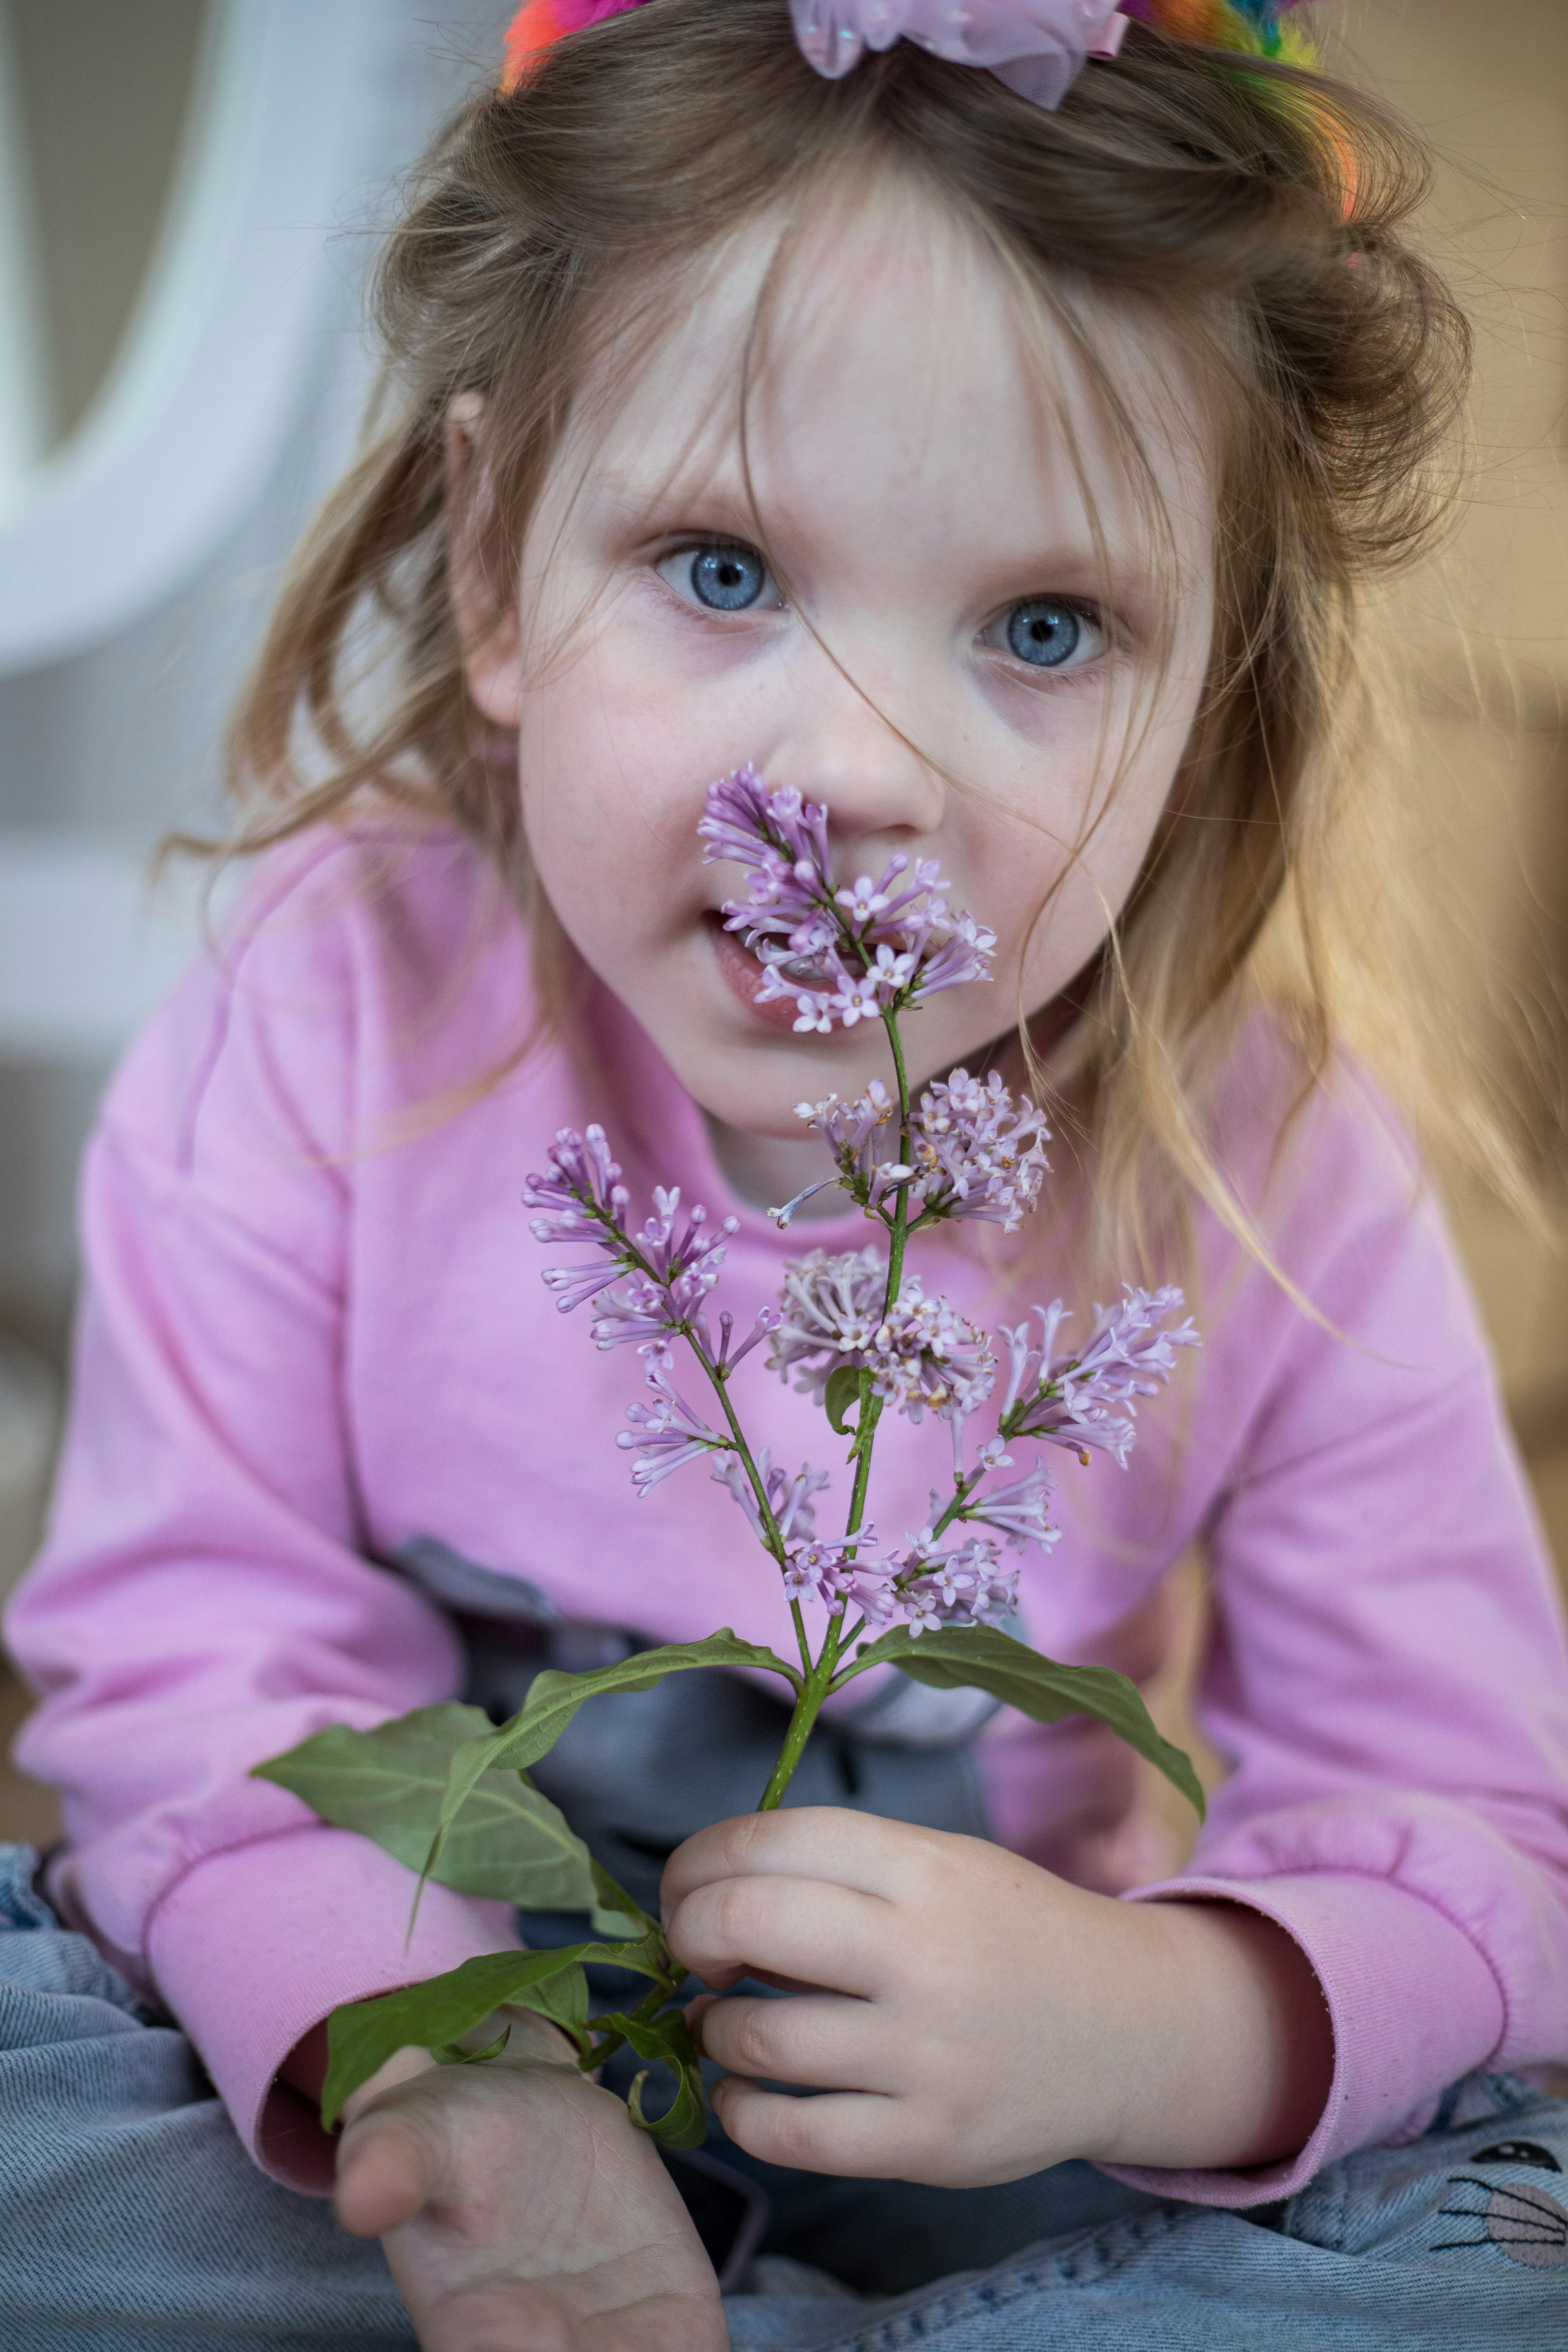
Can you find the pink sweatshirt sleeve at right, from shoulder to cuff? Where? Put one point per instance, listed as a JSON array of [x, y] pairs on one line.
[[1388, 1678]]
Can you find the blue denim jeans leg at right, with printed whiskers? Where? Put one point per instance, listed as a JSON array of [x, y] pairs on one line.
[[1459, 2240]]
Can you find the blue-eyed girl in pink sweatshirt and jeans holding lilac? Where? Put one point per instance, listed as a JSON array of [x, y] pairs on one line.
[[986, 422]]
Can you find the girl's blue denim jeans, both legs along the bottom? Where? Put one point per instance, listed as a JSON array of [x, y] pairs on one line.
[[133, 2221]]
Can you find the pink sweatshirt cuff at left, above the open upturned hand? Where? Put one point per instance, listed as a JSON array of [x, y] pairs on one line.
[[260, 1944]]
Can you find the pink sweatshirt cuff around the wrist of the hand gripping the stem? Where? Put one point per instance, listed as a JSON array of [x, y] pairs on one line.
[[1412, 2000]]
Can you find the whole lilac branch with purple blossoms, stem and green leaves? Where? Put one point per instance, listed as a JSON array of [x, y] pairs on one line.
[[857, 1332]]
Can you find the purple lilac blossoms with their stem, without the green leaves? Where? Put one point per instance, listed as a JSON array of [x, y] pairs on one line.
[[852, 1328]]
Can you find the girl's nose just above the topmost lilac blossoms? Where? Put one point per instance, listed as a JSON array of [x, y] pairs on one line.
[[859, 751]]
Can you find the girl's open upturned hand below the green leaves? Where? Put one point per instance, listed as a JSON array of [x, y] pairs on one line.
[[521, 2212]]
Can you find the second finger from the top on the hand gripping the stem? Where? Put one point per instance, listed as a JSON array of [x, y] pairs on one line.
[[803, 1930]]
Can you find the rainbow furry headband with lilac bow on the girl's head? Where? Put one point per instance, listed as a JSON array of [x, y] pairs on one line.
[[1038, 48]]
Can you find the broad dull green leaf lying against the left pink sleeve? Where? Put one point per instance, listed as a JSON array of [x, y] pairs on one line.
[[389, 1784]]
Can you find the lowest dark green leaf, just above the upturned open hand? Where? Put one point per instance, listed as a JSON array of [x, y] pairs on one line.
[[434, 2017]]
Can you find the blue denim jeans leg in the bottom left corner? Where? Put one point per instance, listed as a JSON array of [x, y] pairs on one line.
[[130, 2217]]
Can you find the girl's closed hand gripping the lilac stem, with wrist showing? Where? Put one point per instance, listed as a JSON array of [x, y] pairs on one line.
[[972, 2019]]
